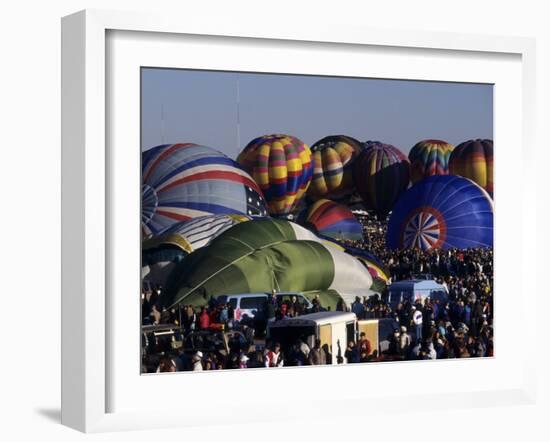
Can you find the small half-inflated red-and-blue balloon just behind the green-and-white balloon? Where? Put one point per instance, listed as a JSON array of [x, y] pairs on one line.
[[331, 219]]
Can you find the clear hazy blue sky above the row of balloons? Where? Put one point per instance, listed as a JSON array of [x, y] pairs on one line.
[[201, 107]]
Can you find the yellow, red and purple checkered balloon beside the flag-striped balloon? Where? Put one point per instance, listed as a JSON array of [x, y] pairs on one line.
[[281, 165]]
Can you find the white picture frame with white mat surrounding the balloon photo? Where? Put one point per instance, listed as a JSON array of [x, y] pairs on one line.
[[92, 223]]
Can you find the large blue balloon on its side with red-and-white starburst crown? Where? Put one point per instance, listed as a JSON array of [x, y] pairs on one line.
[[442, 211]]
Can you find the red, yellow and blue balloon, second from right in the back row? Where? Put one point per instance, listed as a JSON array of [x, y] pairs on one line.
[[429, 157]]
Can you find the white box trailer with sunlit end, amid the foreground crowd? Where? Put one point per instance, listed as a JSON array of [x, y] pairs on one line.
[[333, 329]]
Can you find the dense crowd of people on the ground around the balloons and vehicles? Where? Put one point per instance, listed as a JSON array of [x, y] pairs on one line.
[[424, 329]]
